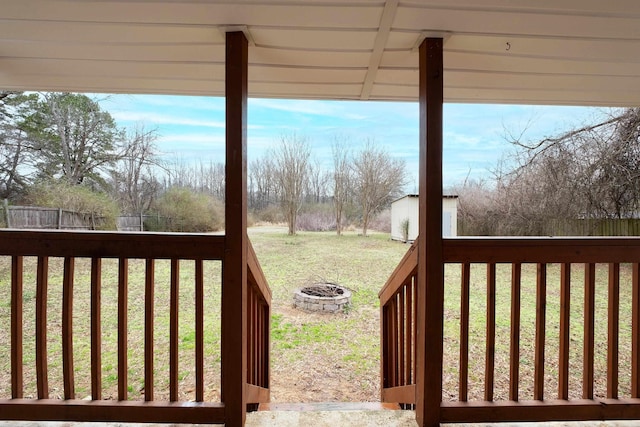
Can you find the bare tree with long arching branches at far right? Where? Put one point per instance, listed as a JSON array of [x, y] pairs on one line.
[[592, 171]]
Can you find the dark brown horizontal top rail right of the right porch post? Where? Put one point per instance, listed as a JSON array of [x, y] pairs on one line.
[[542, 249]]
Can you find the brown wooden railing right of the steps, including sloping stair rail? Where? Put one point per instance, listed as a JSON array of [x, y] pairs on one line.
[[597, 255]]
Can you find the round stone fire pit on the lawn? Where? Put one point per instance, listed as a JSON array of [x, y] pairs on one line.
[[322, 297]]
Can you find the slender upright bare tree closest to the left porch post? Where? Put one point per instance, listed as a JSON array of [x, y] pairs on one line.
[[291, 159]]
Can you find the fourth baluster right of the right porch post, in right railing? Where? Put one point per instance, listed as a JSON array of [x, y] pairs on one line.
[[541, 314]]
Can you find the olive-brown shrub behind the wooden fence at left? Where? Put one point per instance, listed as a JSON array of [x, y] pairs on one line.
[[77, 198]]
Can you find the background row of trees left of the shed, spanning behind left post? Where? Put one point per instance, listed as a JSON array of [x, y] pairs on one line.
[[62, 150]]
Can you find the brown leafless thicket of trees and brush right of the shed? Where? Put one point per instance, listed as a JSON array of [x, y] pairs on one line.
[[587, 173]]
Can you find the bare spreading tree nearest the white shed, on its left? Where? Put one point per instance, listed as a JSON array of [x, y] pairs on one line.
[[378, 178]]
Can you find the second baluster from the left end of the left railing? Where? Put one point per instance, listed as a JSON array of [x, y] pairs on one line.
[[42, 376]]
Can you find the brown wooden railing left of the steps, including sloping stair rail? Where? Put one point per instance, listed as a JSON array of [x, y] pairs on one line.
[[185, 406]]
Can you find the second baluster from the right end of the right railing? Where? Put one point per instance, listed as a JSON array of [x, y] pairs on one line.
[[613, 329]]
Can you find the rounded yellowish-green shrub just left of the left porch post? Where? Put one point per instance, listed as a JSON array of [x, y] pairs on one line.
[[188, 211]]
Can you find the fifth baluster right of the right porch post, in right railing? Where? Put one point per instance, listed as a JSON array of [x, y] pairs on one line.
[[565, 310]]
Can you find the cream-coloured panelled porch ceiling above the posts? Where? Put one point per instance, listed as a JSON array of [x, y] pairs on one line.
[[578, 52]]
